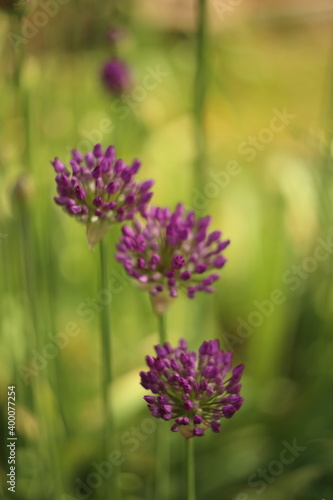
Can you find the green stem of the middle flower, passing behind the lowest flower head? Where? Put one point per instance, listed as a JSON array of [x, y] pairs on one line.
[[162, 486]]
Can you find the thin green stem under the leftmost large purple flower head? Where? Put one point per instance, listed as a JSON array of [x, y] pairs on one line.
[[106, 365]]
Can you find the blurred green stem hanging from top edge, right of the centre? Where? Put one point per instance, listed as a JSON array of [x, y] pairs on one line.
[[200, 85]]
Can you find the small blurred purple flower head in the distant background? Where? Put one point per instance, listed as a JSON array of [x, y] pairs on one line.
[[116, 76]]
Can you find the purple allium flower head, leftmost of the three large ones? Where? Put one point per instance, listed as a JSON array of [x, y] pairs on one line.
[[100, 190]]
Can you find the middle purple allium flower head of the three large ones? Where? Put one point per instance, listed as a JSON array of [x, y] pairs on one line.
[[171, 251]]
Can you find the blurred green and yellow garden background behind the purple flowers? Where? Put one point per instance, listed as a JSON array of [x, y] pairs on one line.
[[267, 184]]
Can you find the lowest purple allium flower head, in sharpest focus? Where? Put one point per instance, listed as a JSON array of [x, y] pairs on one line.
[[195, 390]]
